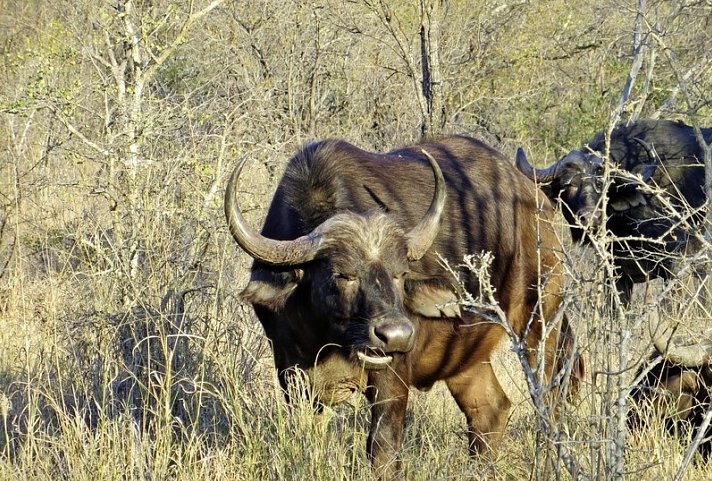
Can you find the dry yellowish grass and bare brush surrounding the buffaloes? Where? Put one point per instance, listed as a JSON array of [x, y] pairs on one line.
[[124, 351]]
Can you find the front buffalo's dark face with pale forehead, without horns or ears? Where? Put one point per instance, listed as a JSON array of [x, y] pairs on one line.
[[357, 285]]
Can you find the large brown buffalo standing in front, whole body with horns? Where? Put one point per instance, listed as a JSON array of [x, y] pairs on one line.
[[348, 285]]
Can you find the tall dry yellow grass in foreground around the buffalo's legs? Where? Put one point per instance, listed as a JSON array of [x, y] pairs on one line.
[[96, 395]]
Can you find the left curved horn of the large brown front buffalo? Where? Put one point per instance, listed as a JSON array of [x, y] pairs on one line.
[[269, 251]]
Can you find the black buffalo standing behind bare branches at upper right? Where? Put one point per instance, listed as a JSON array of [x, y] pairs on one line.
[[661, 153]]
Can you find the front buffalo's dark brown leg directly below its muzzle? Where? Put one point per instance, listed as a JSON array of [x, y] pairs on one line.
[[389, 397]]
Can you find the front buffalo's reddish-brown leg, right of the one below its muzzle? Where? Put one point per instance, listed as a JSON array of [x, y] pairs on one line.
[[485, 405]]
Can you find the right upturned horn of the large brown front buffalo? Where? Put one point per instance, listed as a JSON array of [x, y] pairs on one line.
[[422, 236]]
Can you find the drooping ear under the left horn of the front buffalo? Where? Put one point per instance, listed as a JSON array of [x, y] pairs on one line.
[[271, 289]]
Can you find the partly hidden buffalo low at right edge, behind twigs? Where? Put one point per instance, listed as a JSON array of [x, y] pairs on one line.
[[675, 387]]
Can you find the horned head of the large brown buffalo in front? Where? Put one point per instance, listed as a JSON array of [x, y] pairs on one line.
[[350, 272]]
